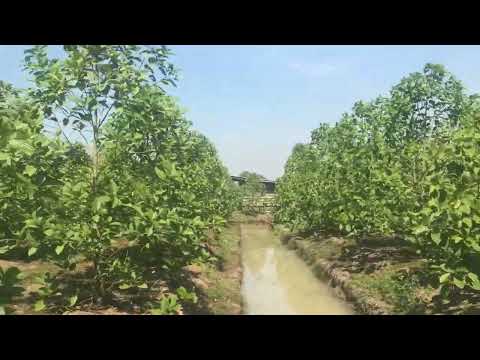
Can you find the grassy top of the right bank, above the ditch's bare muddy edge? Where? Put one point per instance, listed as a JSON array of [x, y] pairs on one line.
[[383, 273]]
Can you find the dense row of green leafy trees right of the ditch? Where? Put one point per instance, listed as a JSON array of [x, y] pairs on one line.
[[406, 165]]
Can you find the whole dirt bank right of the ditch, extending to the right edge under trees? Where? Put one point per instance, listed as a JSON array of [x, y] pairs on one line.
[[378, 276]]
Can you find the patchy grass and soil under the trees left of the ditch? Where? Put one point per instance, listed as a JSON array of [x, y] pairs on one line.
[[221, 294]]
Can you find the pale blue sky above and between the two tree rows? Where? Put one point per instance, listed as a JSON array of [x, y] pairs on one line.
[[256, 102]]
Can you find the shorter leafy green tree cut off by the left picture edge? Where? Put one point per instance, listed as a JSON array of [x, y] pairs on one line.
[[31, 167]]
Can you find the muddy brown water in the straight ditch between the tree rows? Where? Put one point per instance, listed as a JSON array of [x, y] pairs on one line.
[[277, 281]]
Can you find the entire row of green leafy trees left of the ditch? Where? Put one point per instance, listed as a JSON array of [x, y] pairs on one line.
[[141, 195]]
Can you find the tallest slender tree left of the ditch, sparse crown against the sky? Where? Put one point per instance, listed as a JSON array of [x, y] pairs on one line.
[[92, 86]]
